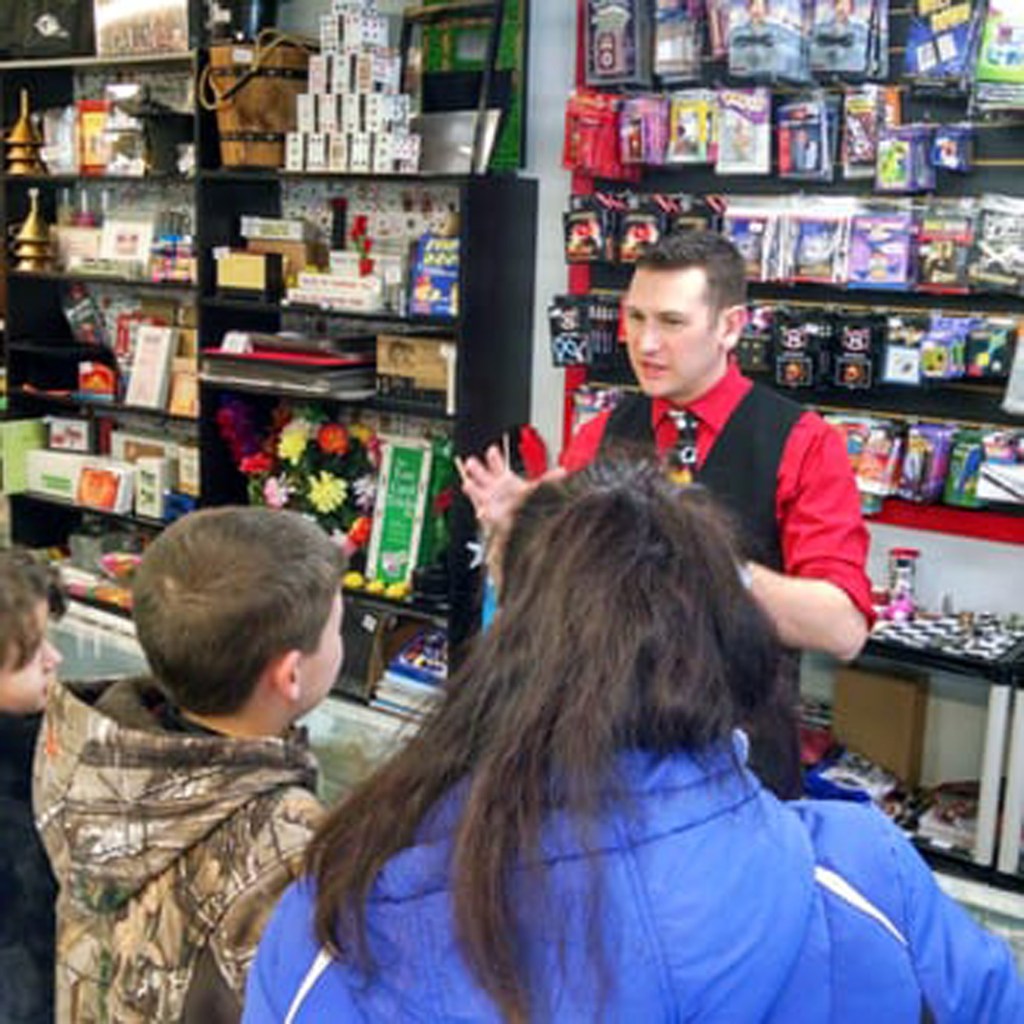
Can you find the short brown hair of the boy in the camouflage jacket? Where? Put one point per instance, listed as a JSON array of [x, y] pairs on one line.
[[223, 592]]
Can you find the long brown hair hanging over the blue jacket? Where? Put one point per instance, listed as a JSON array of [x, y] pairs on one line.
[[624, 625]]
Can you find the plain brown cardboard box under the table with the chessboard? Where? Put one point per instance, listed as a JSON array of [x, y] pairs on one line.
[[883, 717]]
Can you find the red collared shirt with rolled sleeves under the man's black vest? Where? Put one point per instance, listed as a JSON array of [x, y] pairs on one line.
[[822, 532]]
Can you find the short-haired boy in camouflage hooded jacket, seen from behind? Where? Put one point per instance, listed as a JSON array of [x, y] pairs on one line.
[[177, 809]]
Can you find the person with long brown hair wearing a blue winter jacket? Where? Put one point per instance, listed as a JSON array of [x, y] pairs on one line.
[[575, 837]]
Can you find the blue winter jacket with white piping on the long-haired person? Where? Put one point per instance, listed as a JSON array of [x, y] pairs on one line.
[[718, 904]]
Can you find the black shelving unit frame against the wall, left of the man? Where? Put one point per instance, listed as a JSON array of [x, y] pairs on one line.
[[493, 331]]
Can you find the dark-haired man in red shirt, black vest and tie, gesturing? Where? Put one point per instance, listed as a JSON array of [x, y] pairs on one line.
[[783, 473]]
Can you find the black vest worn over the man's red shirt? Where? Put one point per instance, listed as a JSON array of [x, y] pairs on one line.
[[742, 470]]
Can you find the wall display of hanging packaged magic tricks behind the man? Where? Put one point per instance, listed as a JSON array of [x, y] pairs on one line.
[[848, 257]]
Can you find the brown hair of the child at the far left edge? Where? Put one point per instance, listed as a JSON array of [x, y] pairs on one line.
[[26, 582]]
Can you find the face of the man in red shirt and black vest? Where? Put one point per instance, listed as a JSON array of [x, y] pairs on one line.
[[678, 347]]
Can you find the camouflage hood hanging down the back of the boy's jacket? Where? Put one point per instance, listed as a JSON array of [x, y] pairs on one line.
[[119, 799]]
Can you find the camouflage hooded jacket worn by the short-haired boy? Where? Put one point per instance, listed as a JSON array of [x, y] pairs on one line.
[[170, 849]]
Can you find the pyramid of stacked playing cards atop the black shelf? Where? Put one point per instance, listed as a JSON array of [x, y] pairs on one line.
[[355, 119]]
